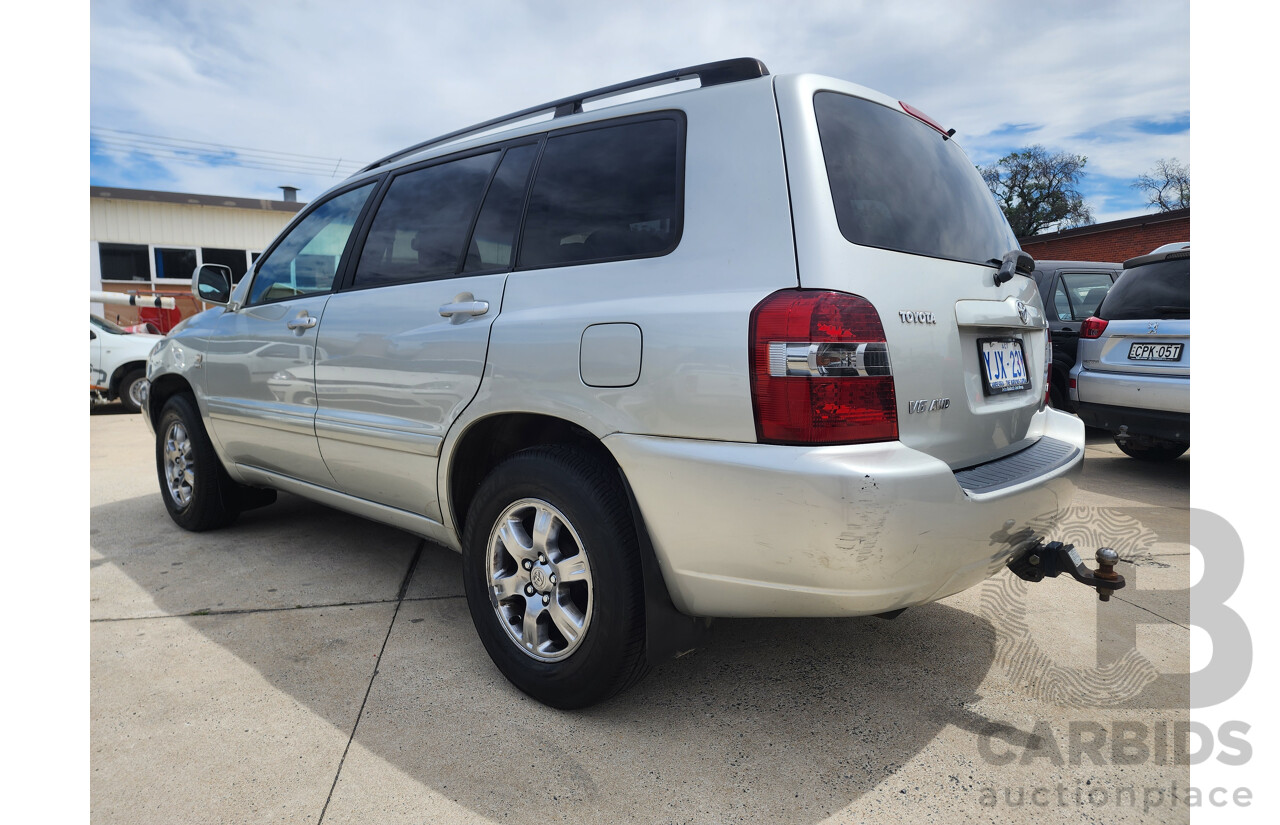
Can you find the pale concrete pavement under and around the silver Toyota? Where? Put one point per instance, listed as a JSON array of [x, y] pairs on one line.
[[307, 666]]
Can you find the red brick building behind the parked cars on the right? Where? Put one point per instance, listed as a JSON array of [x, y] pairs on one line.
[[1113, 241]]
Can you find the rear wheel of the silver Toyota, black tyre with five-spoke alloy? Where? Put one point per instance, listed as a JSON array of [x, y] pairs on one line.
[[554, 581]]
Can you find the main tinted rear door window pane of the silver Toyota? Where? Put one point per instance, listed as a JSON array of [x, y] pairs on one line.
[[423, 222]]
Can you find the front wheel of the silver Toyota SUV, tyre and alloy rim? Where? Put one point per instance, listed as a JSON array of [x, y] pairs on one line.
[[196, 491]]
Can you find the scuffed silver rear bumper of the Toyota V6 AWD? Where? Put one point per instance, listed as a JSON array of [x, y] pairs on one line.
[[753, 530]]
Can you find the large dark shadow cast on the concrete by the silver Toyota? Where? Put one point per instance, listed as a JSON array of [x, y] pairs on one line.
[[772, 719]]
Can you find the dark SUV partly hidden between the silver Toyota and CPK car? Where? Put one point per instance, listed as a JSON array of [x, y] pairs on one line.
[[1072, 292]]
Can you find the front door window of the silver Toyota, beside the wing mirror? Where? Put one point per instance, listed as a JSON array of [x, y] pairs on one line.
[[307, 260]]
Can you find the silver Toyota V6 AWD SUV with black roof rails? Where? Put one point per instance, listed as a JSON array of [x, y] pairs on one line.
[[760, 347]]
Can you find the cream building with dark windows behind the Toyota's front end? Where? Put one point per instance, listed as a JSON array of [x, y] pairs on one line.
[[143, 241]]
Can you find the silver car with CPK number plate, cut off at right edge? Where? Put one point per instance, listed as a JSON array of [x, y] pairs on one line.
[[1133, 372]]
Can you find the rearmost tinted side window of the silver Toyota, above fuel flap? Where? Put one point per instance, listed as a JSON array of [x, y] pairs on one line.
[[606, 194]]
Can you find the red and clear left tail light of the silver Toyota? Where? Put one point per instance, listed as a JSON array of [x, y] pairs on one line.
[[821, 372]]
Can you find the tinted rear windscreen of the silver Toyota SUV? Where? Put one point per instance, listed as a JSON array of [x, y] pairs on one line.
[[899, 186]]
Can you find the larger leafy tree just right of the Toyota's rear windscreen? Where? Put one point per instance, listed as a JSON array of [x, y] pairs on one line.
[[1039, 191]]
